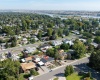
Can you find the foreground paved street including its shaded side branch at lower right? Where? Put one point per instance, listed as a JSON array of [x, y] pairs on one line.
[[60, 71]]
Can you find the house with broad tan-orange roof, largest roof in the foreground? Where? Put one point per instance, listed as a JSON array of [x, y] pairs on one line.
[[27, 66]]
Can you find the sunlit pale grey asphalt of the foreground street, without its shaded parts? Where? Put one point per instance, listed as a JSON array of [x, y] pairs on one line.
[[58, 71]]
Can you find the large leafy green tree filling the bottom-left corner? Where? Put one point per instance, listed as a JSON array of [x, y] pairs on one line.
[[9, 70]]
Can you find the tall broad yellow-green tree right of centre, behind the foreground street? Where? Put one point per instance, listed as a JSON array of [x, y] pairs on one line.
[[80, 49]]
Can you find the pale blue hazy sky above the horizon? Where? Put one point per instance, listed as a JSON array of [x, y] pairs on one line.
[[91, 5]]
